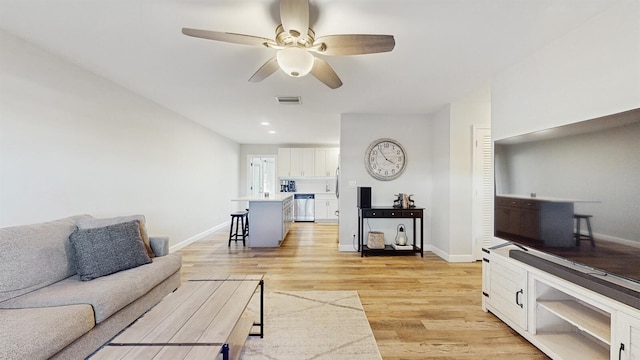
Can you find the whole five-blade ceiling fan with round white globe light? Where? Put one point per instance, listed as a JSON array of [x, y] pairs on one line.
[[296, 41]]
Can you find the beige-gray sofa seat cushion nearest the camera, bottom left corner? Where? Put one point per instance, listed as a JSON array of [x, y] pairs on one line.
[[31, 335]]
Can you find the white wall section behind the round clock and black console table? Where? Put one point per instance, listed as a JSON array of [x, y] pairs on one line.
[[357, 131]]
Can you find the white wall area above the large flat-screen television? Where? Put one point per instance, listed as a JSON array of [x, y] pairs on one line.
[[592, 71]]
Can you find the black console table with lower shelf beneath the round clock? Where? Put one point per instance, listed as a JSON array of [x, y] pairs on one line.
[[390, 213]]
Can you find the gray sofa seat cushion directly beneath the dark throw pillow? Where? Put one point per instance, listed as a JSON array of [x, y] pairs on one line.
[[106, 294]]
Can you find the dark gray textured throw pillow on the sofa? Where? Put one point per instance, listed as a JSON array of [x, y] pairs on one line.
[[109, 249]]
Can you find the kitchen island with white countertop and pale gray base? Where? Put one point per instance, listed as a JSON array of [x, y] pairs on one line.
[[269, 218]]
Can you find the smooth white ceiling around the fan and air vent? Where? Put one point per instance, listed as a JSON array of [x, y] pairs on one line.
[[446, 50]]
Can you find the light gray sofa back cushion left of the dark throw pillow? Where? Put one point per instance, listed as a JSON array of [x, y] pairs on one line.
[[34, 256]]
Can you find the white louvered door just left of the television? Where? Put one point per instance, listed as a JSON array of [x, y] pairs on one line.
[[482, 203]]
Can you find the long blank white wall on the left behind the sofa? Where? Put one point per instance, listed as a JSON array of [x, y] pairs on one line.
[[72, 142]]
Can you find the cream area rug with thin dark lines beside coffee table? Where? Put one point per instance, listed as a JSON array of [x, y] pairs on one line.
[[303, 325]]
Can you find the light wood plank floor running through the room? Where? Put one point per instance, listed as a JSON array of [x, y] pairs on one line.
[[418, 308]]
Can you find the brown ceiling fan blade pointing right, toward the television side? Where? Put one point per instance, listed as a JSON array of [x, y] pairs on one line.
[[352, 44]]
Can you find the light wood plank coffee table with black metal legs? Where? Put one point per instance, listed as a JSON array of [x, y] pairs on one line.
[[201, 319]]
